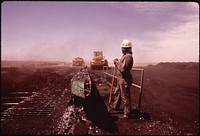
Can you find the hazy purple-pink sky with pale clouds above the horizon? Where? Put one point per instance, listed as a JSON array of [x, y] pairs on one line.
[[159, 31]]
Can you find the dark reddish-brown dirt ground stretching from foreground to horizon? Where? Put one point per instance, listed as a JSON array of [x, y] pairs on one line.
[[169, 105]]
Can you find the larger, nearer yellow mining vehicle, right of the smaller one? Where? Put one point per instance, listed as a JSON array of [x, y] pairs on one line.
[[98, 61]]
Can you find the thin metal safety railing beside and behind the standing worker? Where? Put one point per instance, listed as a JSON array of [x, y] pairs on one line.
[[109, 71]]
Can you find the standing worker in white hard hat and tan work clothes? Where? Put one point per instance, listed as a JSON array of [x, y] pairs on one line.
[[124, 79]]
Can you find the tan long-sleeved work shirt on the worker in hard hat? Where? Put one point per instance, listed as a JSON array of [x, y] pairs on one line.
[[124, 67]]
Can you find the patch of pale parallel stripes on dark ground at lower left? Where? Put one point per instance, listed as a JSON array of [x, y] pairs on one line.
[[36, 105]]
